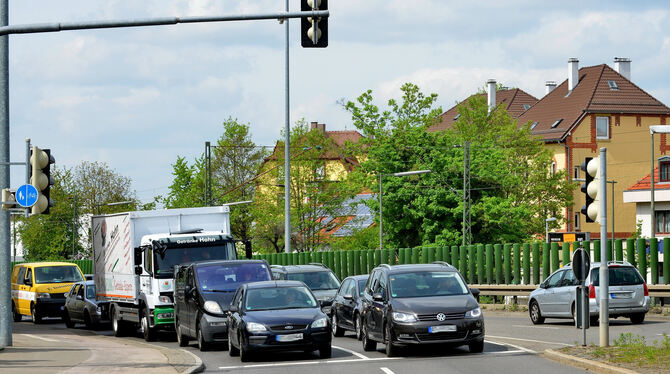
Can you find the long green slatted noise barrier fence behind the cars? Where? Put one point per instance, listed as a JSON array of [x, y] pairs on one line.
[[499, 263]]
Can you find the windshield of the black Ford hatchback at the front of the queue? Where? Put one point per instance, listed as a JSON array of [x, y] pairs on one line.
[[279, 298]]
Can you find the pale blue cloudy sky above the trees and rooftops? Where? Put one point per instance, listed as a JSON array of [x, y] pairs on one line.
[[137, 98]]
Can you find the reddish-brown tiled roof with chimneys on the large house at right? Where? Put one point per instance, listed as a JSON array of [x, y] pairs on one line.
[[591, 95]]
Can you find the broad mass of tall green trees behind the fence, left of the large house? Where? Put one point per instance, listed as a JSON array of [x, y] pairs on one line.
[[511, 187]]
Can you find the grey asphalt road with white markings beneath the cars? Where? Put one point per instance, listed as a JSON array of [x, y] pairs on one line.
[[513, 345]]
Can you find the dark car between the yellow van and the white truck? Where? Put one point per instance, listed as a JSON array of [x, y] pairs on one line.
[[82, 307]]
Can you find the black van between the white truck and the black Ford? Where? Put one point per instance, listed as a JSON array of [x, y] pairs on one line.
[[202, 295]]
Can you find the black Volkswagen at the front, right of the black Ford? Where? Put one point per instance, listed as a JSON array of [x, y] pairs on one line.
[[420, 304]]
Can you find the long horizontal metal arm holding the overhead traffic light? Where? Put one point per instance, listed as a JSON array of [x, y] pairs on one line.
[[66, 26]]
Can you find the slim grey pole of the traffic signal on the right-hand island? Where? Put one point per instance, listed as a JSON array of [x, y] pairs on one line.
[[604, 271]]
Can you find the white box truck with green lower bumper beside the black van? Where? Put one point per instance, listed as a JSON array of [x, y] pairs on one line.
[[134, 255]]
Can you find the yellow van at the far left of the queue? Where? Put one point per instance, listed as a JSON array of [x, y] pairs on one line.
[[39, 288]]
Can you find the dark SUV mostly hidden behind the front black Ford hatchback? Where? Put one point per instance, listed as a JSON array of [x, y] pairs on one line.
[[318, 277]]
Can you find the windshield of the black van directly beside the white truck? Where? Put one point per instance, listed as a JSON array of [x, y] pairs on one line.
[[226, 277]]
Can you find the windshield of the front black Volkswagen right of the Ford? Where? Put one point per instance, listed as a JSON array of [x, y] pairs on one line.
[[422, 284]]
